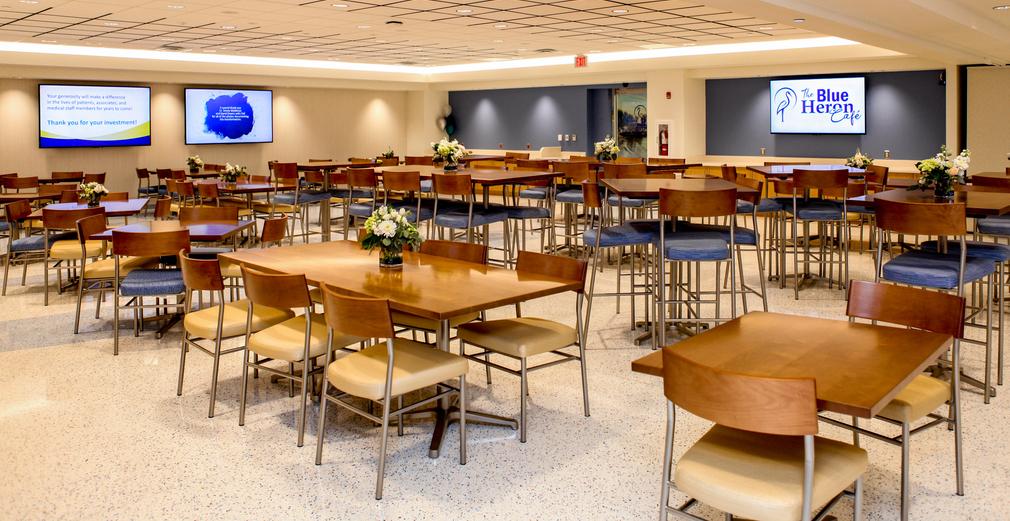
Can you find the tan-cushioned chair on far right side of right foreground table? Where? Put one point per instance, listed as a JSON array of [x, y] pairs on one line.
[[919, 309]]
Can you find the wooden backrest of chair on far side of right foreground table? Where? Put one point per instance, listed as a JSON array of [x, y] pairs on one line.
[[913, 307]]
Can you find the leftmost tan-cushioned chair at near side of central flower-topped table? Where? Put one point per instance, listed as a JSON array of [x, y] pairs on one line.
[[219, 322]]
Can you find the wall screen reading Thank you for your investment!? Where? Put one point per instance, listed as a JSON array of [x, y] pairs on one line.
[[89, 116]]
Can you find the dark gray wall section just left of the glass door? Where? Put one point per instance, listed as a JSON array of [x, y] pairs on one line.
[[516, 118]]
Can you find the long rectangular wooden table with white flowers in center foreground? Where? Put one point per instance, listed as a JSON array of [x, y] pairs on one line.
[[428, 286]]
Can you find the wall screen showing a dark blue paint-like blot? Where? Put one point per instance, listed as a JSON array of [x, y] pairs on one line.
[[226, 117]]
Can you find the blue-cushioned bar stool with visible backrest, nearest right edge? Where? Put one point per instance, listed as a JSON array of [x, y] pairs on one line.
[[949, 269]]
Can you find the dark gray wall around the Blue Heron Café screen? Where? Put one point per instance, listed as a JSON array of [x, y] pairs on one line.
[[906, 114]]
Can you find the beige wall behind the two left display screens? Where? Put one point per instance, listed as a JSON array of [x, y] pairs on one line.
[[309, 123]]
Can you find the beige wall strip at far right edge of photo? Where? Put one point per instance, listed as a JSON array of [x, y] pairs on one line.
[[989, 118]]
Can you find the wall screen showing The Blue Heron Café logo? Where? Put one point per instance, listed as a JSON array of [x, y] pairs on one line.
[[819, 107]]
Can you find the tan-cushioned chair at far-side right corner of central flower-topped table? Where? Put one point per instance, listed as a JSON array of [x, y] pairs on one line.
[[525, 338]]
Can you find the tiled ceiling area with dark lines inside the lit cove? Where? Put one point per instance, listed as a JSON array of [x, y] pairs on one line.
[[431, 33]]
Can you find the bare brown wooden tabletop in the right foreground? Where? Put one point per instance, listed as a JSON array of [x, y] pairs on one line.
[[859, 368]]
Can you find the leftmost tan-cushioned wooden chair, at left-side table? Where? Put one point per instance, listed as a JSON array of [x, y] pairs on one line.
[[65, 251]]
